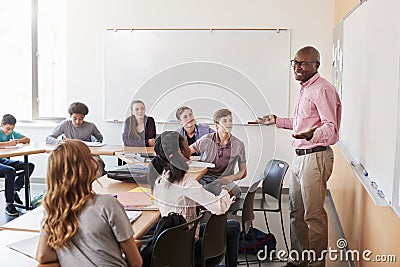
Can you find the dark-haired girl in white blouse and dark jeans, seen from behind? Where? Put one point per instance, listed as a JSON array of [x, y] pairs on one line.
[[175, 192]]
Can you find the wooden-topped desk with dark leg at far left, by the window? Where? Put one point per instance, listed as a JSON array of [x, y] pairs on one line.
[[25, 150]]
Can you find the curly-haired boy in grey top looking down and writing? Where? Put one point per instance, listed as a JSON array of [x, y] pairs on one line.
[[77, 128]]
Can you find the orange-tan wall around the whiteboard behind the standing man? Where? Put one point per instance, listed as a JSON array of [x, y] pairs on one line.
[[365, 225]]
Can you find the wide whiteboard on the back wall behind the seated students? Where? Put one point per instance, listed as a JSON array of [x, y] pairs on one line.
[[246, 71]]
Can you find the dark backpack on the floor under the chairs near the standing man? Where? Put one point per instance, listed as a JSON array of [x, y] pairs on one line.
[[261, 240]]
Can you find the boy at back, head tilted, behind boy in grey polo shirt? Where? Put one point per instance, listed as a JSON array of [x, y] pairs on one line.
[[189, 129]]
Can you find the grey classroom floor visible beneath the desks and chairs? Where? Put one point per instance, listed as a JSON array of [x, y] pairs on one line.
[[274, 220]]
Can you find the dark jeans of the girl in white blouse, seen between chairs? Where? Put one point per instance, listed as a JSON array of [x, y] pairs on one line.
[[232, 242]]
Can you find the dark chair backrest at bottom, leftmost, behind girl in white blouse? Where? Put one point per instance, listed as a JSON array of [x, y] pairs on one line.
[[175, 246]]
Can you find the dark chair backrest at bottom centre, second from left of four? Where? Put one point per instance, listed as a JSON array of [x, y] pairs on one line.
[[214, 240]]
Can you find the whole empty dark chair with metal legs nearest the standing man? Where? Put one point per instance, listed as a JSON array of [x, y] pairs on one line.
[[274, 174]]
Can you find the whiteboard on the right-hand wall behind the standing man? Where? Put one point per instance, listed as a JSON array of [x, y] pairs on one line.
[[370, 90]]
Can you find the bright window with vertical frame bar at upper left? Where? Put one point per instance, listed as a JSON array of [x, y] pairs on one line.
[[32, 54]]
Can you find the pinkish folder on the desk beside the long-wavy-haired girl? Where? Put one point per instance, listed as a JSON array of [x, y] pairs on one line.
[[136, 201]]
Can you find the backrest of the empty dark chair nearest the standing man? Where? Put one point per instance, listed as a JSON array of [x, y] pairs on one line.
[[274, 174]]
